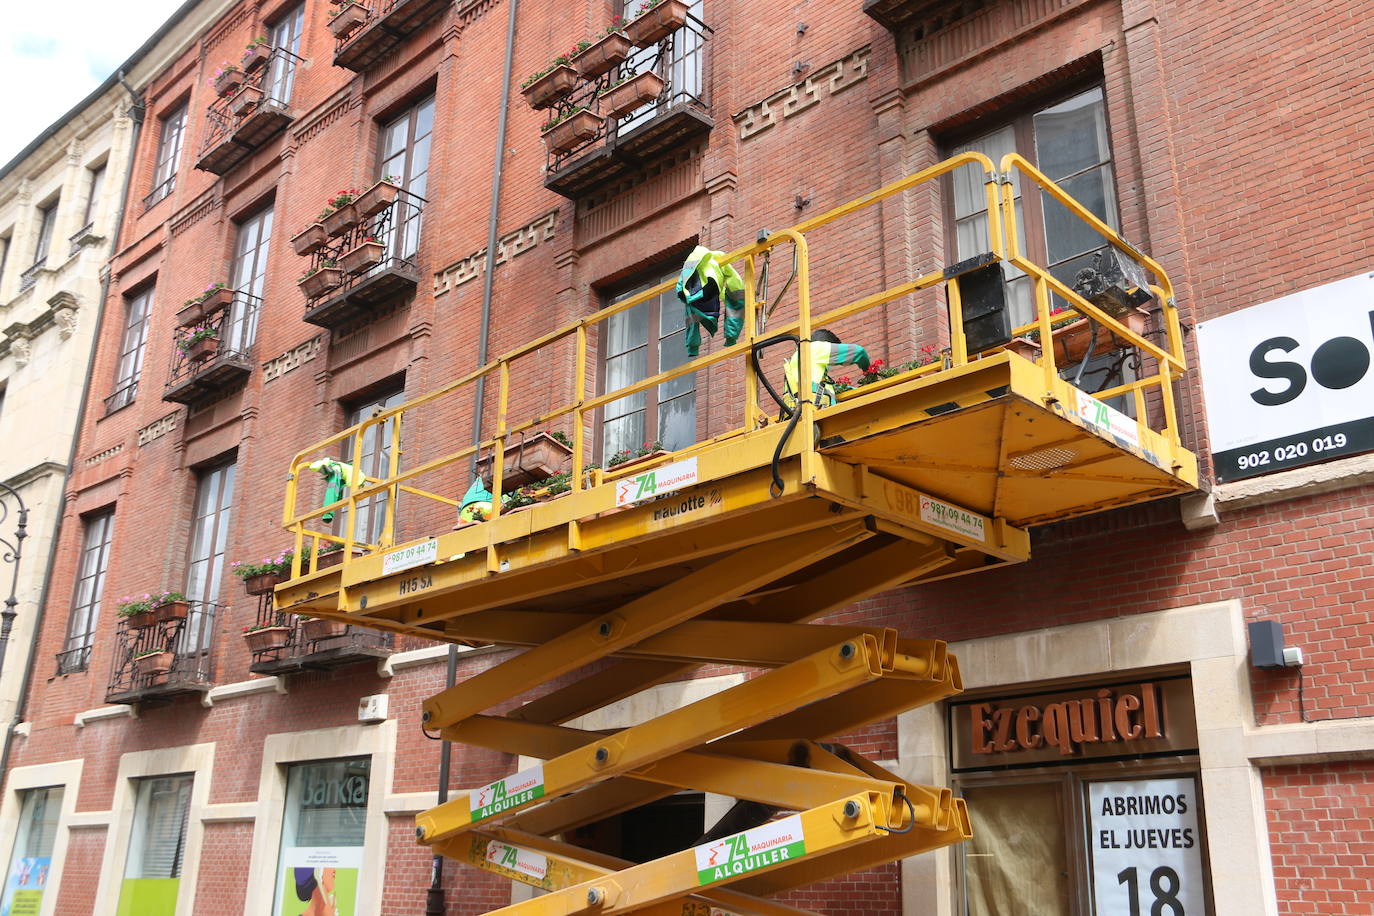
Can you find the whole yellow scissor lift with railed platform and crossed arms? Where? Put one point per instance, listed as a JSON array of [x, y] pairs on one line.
[[722, 554]]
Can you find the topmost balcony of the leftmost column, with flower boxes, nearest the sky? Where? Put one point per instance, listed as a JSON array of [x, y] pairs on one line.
[[243, 123]]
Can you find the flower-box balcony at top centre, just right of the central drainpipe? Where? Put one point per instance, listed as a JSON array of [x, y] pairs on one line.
[[624, 145]]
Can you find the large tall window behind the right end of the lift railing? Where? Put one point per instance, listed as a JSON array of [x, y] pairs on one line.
[[1070, 144]]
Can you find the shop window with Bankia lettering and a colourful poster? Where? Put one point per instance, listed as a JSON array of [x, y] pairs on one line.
[[322, 837]]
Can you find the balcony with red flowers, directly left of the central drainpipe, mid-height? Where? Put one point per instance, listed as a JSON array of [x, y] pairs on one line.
[[379, 285]]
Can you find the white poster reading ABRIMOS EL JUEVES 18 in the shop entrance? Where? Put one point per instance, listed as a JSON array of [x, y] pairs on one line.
[[1147, 848]]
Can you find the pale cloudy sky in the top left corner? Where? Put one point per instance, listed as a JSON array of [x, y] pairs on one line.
[[54, 53]]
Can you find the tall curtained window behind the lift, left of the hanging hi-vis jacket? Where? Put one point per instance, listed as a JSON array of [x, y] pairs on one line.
[[640, 343]]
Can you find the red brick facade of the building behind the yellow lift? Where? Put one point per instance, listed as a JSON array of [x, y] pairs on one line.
[[1237, 137]]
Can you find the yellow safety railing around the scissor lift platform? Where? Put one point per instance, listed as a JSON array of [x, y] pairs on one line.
[[1004, 245]]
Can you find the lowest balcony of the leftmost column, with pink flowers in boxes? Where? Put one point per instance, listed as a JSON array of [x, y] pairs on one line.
[[188, 642]]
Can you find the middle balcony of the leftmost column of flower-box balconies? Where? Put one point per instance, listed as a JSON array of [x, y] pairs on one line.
[[214, 352]]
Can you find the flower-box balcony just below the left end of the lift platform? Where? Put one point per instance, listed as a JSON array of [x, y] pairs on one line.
[[313, 645]]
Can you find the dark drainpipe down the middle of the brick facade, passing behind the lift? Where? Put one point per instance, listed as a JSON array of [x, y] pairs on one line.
[[435, 899]]
